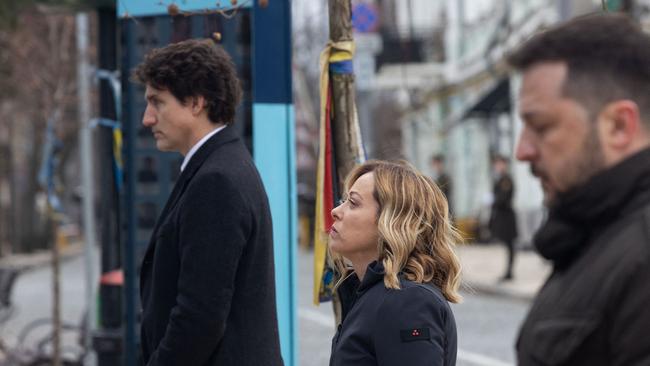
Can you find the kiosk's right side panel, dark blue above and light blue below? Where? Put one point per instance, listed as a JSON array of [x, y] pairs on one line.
[[274, 152]]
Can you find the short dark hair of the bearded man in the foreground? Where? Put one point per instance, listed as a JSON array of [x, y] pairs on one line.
[[607, 56]]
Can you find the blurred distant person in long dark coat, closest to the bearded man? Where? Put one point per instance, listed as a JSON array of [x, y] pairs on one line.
[[503, 221]]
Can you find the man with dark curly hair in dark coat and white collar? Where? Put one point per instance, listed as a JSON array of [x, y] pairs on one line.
[[207, 278]]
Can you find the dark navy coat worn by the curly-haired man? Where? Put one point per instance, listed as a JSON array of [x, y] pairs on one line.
[[207, 281]]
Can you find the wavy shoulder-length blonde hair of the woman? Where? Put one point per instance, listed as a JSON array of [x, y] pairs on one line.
[[416, 236]]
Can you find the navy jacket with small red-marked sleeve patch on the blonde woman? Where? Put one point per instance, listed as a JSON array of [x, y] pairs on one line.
[[411, 326]]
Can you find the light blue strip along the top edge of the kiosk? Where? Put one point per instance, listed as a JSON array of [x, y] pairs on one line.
[[138, 8]]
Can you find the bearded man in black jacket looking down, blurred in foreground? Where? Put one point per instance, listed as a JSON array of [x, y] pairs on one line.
[[585, 105]]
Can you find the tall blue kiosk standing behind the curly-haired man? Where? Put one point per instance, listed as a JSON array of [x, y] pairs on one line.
[[257, 36]]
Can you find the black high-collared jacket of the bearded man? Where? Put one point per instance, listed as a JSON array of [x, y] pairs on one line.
[[595, 308]]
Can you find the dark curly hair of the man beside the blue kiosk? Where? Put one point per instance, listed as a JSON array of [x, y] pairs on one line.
[[194, 68]]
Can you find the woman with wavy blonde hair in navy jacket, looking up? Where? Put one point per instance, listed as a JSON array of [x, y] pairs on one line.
[[392, 245]]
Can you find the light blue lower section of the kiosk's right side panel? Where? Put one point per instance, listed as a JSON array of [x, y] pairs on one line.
[[274, 152]]
